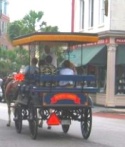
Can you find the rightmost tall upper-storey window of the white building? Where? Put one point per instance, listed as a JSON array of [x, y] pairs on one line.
[[101, 11]]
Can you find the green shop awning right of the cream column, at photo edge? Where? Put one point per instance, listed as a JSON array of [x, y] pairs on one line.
[[120, 55]]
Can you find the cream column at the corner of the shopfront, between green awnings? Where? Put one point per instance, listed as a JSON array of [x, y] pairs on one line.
[[110, 84]]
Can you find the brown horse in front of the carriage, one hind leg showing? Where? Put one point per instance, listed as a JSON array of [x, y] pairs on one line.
[[10, 93]]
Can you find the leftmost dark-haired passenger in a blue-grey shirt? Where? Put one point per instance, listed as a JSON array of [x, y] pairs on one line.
[[31, 69]]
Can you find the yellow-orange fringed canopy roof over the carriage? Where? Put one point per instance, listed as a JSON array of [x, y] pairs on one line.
[[58, 37]]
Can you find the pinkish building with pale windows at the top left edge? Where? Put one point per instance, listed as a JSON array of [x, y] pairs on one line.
[[4, 20]]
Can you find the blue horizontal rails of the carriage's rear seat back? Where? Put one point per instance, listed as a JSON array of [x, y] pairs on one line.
[[53, 86]]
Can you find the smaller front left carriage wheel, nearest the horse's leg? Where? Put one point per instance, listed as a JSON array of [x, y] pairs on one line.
[[18, 118]]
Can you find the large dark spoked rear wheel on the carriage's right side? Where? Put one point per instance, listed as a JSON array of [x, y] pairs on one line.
[[86, 123]]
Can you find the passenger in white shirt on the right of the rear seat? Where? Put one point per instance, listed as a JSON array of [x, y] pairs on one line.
[[66, 70]]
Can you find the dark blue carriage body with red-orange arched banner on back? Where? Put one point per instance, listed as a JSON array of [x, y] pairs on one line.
[[59, 98]]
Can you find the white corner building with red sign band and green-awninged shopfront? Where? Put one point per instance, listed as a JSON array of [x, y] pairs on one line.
[[105, 58]]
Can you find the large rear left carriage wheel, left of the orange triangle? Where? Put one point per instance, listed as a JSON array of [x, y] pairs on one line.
[[33, 122]]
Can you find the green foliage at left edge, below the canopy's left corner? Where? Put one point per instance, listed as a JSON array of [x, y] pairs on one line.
[[11, 60]]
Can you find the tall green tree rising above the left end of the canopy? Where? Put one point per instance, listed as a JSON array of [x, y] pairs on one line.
[[26, 25]]
